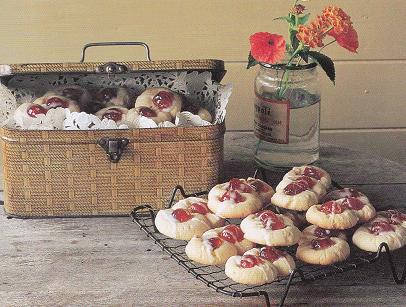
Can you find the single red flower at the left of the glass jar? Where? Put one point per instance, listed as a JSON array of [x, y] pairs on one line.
[[267, 48]]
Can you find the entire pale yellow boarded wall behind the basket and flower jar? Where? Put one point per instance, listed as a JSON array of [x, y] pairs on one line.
[[365, 110]]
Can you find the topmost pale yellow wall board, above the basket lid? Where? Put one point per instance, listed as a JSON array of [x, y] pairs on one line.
[[55, 30]]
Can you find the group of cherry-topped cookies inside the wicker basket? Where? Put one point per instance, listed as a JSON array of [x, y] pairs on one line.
[[114, 103]]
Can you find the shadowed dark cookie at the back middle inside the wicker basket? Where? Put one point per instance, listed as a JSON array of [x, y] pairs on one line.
[[113, 96]]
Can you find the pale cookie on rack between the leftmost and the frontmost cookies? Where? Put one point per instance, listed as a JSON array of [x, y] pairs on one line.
[[210, 249]]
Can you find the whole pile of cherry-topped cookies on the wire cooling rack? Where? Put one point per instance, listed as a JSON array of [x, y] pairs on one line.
[[302, 198]]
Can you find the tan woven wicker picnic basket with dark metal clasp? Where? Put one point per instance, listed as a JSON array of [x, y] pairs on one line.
[[106, 172]]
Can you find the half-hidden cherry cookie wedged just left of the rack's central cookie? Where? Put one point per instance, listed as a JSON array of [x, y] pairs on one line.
[[234, 235]]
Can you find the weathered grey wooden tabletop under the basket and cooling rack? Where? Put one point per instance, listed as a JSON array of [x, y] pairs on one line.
[[100, 261]]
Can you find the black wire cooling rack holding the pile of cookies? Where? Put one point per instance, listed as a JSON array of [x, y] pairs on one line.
[[214, 277]]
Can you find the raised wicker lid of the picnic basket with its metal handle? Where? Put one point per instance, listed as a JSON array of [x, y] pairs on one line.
[[215, 66]]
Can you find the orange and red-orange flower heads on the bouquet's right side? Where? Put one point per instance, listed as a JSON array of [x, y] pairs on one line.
[[333, 22]]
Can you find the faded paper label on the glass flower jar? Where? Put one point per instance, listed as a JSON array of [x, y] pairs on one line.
[[271, 120]]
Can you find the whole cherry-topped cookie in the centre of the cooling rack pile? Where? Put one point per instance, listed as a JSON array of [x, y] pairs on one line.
[[271, 229]]
